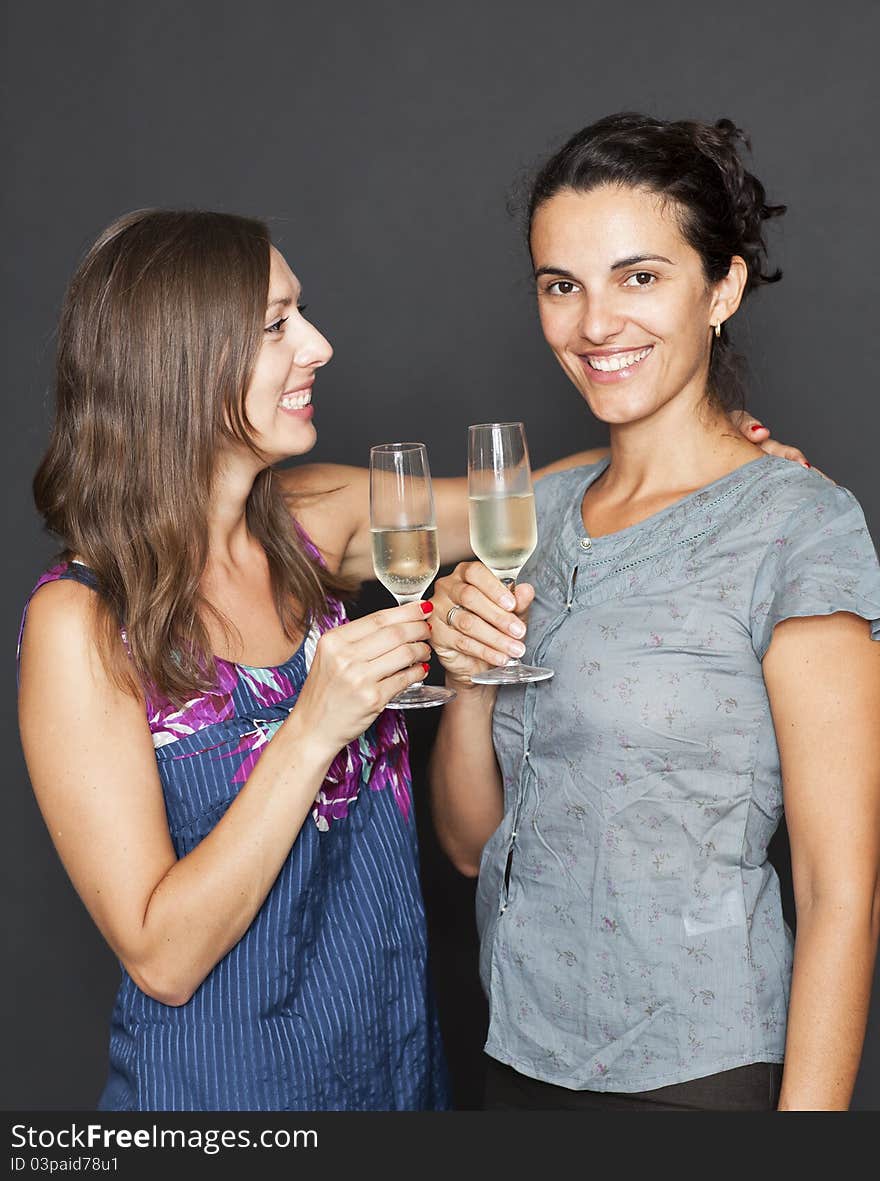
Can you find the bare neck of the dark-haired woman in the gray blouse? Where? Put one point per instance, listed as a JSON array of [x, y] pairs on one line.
[[686, 445]]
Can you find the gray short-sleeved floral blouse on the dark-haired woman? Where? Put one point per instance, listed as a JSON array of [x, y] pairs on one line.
[[631, 928]]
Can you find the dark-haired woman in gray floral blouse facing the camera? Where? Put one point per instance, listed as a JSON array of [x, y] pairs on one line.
[[709, 614]]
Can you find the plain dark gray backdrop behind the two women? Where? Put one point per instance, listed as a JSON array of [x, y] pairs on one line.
[[381, 141]]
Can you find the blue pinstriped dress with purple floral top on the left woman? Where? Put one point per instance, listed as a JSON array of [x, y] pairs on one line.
[[325, 1003]]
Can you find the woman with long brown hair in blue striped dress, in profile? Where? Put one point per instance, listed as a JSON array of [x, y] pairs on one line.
[[205, 732]]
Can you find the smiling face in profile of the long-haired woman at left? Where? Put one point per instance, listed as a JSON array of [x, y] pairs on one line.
[[279, 399]]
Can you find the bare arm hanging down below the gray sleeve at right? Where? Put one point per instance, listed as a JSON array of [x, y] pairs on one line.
[[823, 676]]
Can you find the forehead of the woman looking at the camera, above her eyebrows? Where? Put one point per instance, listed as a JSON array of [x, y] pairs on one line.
[[604, 225]]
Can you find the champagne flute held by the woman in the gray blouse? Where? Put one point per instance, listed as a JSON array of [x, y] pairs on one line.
[[504, 530]]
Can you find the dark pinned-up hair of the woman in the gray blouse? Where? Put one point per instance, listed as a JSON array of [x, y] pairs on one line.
[[698, 168]]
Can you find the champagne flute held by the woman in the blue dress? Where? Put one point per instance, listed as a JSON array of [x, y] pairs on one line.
[[405, 538]]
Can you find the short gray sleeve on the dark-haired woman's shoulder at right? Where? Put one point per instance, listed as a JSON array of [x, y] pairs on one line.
[[820, 562]]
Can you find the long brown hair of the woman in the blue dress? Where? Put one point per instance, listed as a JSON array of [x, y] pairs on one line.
[[158, 342]]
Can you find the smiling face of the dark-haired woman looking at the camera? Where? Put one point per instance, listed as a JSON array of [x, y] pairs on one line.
[[624, 302]]
